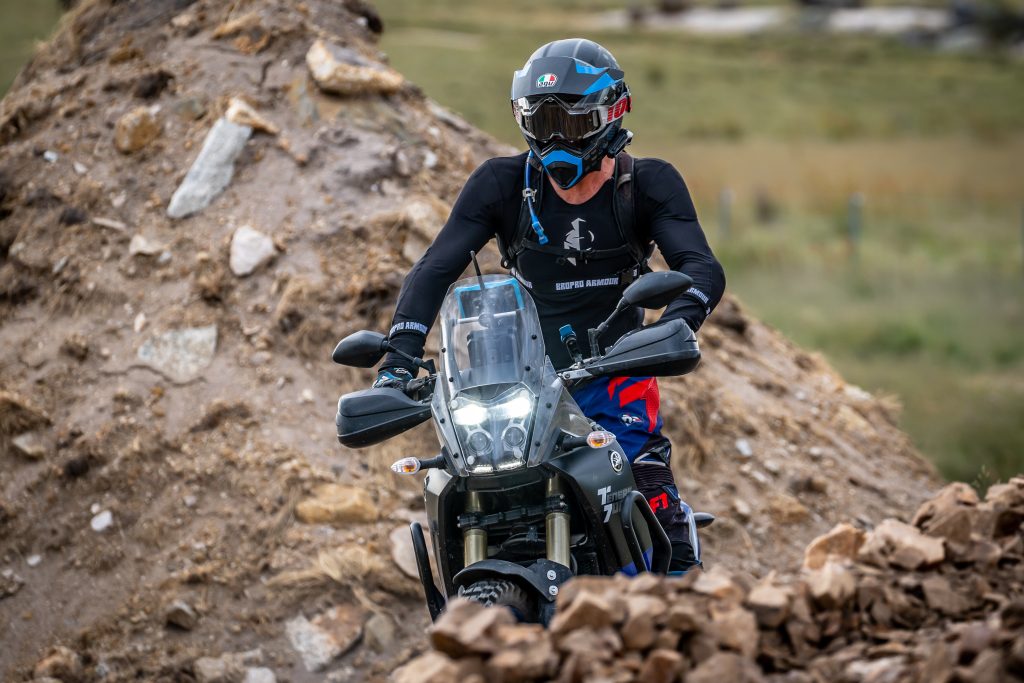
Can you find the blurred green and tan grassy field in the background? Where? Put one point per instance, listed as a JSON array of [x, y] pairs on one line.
[[776, 134]]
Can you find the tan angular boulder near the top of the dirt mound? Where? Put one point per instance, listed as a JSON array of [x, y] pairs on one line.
[[343, 71]]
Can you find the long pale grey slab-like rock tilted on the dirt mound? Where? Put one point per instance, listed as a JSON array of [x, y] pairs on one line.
[[212, 172]]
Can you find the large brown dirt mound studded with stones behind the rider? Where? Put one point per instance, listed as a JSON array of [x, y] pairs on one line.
[[197, 199]]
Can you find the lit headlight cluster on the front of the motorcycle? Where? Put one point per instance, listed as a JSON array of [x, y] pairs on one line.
[[494, 435]]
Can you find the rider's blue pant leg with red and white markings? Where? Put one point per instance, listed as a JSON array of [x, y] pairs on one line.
[[630, 408]]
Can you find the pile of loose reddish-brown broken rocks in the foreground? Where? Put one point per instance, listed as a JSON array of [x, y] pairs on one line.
[[942, 600]]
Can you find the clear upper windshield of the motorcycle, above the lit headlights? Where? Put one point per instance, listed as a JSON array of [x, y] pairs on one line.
[[492, 336]]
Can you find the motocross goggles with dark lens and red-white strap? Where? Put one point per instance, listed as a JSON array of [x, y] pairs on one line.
[[552, 118]]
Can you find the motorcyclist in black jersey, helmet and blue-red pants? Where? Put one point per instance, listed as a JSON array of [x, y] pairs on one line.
[[573, 250]]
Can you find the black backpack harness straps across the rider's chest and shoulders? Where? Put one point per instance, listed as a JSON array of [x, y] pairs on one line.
[[625, 216]]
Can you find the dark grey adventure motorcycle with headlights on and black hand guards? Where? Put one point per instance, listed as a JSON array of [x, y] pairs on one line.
[[527, 492]]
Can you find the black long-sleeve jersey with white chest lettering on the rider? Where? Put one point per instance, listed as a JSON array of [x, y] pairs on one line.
[[566, 290]]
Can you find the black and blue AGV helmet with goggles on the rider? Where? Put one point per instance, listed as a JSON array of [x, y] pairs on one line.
[[570, 99]]
